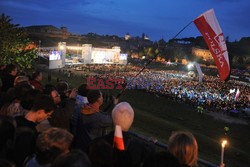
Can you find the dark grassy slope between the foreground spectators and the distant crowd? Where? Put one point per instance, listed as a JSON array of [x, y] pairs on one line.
[[158, 117]]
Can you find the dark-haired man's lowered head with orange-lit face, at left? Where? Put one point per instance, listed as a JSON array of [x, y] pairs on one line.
[[42, 108]]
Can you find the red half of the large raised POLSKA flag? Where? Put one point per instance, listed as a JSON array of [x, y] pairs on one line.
[[212, 39]]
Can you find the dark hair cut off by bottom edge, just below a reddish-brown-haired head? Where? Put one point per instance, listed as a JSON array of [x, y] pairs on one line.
[[74, 158]]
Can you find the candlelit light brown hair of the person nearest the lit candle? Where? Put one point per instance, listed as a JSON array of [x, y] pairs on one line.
[[183, 145]]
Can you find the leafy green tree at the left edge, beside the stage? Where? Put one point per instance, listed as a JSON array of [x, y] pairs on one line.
[[14, 45]]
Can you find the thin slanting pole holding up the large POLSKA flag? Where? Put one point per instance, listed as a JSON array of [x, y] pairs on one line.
[[148, 62]]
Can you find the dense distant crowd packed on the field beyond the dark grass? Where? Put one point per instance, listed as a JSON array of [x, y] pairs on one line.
[[212, 94]]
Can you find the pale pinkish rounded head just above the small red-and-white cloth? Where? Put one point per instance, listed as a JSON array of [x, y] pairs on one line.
[[123, 115]]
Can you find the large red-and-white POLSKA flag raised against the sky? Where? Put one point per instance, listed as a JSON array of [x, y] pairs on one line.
[[210, 29]]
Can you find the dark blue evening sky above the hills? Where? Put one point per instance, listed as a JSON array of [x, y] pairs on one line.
[[156, 18]]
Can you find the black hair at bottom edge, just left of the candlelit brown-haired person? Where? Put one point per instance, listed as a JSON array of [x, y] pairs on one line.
[[161, 159]]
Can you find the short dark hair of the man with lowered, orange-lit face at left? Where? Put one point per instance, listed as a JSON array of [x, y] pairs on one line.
[[43, 102]]
